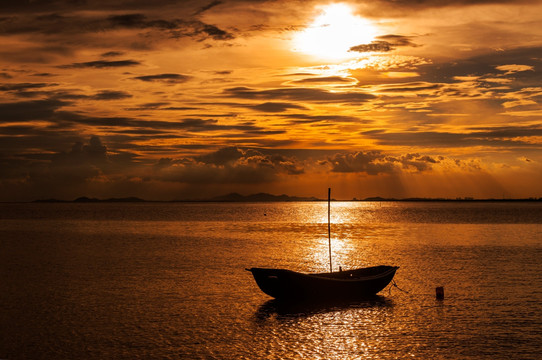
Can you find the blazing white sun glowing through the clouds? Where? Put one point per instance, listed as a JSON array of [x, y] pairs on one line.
[[333, 33]]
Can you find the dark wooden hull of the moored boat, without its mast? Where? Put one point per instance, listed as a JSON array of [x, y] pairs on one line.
[[358, 283]]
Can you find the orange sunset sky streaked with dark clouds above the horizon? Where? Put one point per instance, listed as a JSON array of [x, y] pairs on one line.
[[169, 100]]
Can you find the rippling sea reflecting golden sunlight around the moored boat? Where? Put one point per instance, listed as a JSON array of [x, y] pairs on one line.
[[168, 280]]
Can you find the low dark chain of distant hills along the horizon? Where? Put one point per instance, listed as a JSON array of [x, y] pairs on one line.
[[265, 197]]
